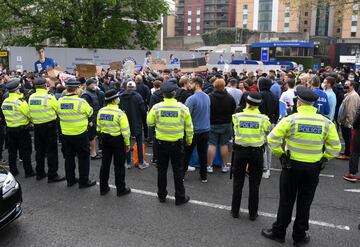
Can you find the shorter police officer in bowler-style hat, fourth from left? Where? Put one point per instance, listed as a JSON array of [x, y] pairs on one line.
[[114, 129]]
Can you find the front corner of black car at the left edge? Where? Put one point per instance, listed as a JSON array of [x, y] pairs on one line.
[[11, 198]]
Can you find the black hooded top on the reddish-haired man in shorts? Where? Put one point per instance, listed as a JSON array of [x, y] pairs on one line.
[[222, 107]]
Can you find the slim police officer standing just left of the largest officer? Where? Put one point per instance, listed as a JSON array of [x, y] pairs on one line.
[[250, 128]]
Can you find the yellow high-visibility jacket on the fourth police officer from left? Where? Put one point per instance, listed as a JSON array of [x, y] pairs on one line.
[[113, 121]]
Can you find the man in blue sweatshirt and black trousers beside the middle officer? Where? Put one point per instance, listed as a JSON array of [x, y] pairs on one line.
[[199, 106]]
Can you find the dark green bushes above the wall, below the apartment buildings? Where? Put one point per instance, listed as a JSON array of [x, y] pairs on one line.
[[227, 36]]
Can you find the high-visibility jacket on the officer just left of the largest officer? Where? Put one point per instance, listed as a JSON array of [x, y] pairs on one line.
[[250, 127]]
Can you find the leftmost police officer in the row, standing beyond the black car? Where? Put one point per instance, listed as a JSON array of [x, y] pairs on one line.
[[16, 112]]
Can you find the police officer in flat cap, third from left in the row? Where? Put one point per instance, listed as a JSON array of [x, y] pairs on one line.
[[74, 113]]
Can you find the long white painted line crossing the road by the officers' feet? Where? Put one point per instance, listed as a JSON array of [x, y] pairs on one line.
[[228, 208]]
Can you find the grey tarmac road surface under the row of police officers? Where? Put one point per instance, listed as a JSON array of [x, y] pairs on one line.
[[55, 215]]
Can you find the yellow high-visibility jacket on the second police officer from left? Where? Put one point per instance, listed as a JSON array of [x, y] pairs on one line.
[[43, 106]]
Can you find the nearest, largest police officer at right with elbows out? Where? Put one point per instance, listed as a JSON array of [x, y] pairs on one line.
[[311, 140]]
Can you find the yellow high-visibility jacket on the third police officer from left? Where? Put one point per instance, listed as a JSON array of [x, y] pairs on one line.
[[74, 113]]
